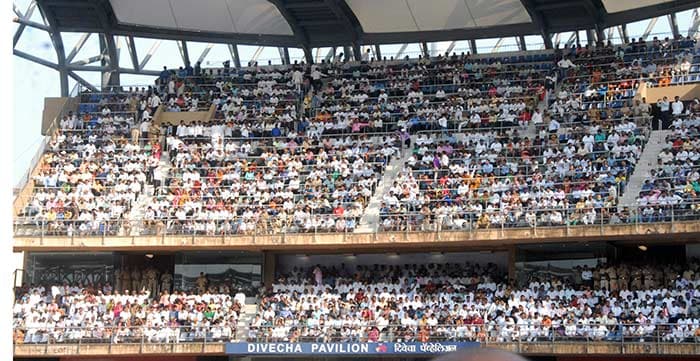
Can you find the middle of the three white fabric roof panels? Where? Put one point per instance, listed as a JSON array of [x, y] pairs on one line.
[[379, 16]]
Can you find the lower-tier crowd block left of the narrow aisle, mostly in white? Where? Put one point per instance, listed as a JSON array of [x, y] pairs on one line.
[[98, 313]]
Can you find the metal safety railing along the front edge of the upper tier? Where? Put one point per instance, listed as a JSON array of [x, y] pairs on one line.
[[259, 220]]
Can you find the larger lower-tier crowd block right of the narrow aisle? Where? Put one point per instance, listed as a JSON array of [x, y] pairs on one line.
[[423, 303]]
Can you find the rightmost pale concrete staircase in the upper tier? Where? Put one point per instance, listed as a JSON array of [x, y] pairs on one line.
[[646, 163]]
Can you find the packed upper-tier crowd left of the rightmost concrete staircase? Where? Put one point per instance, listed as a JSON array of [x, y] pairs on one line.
[[301, 148]]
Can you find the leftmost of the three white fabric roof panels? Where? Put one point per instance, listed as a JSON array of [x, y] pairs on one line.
[[223, 16]]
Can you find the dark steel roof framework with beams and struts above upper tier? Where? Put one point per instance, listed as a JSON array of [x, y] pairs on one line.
[[314, 24]]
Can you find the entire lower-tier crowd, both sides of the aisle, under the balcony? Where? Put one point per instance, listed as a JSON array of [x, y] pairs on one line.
[[379, 303]]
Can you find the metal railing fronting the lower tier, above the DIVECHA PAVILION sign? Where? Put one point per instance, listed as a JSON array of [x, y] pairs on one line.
[[363, 331]]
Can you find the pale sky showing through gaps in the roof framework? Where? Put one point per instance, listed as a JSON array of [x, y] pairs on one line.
[[33, 82]]
